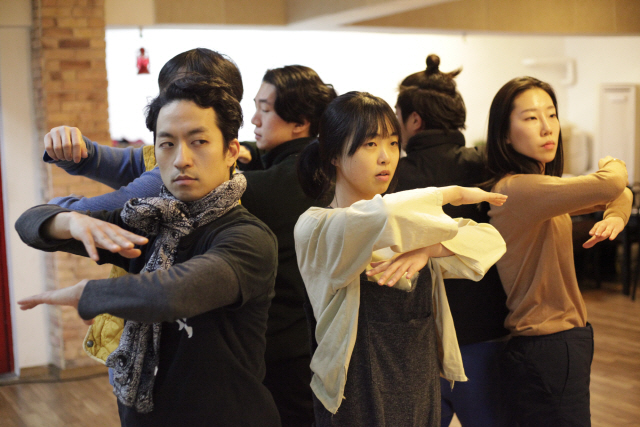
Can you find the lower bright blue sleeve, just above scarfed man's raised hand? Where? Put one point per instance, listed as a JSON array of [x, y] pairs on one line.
[[148, 185]]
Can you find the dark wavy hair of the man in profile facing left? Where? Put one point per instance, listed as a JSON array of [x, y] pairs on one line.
[[300, 95]]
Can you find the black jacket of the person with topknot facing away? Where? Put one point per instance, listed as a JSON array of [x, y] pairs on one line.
[[438, 159]]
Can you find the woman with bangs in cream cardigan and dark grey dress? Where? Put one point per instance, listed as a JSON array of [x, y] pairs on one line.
[[381, 337]]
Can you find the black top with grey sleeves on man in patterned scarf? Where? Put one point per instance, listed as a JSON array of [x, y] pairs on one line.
[[213, 304]]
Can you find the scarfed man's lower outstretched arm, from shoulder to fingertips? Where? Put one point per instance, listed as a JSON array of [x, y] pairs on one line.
[[235, 269]]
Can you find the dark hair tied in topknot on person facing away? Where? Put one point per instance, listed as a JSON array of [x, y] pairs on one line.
[[433, 95]]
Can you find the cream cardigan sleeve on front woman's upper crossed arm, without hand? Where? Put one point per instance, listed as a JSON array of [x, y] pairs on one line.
[[334, 246]]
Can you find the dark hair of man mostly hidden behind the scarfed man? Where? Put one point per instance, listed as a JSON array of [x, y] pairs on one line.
[[205, 62]]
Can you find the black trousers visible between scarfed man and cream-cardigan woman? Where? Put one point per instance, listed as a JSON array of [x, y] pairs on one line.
[[289, 383]]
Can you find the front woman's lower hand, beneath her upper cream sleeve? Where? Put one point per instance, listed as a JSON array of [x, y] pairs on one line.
[[408, 262]]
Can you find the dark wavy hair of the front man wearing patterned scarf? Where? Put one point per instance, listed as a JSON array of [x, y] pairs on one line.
[[206, 93]]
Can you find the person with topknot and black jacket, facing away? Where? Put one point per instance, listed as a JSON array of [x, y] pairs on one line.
[[432, 115]]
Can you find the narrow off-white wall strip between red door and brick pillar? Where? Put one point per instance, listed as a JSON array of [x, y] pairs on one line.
[[22, 185]]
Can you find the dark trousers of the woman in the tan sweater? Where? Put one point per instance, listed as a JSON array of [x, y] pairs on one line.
[[546, 379]]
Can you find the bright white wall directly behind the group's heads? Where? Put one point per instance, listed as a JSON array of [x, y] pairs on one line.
[[366, 61]]
